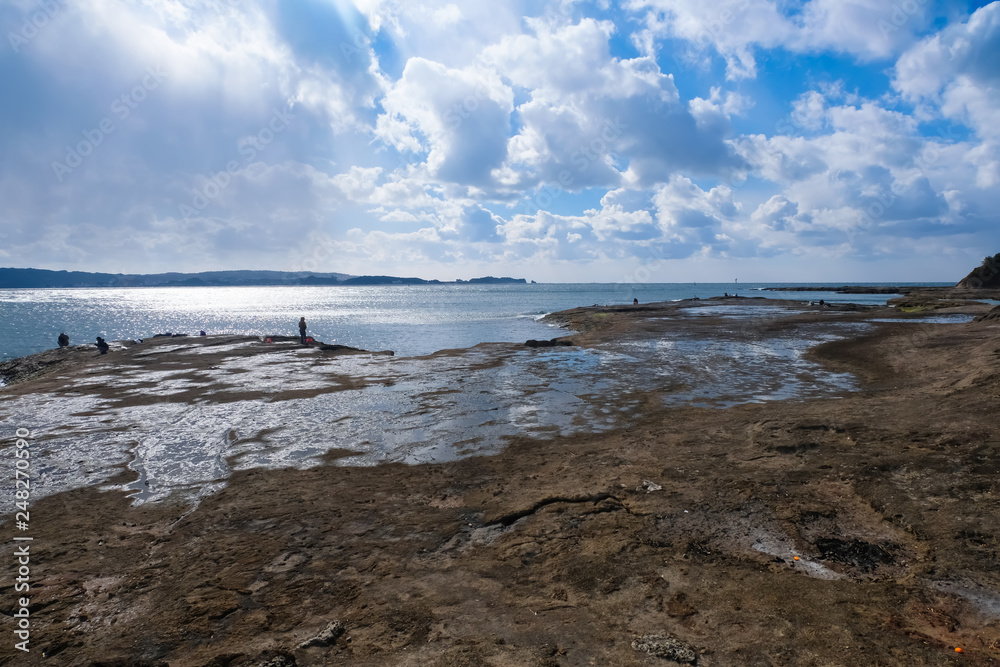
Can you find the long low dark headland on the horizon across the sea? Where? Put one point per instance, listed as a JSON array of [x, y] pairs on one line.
[[39, 278]]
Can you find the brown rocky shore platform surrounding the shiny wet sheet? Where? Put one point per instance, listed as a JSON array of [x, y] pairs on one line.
[[856, 527]]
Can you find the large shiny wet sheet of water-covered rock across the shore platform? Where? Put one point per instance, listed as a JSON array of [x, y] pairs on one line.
[[182, 414]]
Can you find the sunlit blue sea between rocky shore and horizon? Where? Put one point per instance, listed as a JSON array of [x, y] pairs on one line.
[[410, 320]]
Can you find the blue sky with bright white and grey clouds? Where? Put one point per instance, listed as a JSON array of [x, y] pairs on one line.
[[559, 141]]
